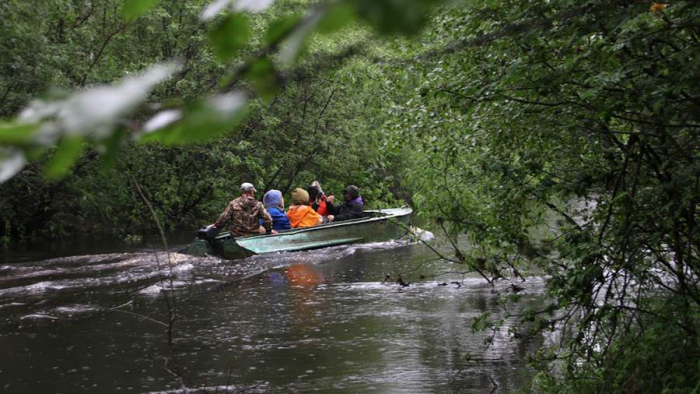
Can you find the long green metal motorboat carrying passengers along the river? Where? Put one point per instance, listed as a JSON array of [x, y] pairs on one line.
[[376, 226]]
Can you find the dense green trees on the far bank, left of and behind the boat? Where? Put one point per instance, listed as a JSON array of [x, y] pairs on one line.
[[305, 132]]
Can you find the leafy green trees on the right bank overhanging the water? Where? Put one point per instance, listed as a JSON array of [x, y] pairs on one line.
[[571, 141]]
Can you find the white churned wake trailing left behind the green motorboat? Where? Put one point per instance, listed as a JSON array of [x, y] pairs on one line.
[[80, 286]]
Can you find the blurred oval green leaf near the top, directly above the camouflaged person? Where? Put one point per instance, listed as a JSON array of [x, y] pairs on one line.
[[229, 36]]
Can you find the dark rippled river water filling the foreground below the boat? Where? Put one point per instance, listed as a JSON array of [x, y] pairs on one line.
[[291, 322]]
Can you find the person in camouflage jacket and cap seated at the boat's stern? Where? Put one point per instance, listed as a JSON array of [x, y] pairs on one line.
[[243, 215]]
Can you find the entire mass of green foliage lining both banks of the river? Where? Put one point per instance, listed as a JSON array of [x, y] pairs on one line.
[[556, 134]]
